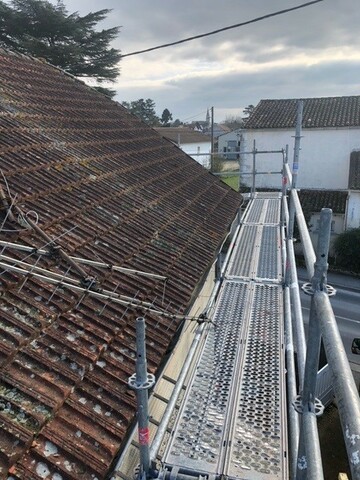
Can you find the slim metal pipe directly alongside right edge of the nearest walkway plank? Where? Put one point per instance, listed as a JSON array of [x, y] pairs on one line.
[[294, 429]]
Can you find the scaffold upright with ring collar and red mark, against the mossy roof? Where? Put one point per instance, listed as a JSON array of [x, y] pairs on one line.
[[141, 381]]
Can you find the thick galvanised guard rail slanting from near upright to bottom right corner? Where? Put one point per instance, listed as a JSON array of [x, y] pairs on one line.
[[343, 383]]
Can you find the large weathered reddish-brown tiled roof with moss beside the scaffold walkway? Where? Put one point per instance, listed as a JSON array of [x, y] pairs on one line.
[[103, 186]]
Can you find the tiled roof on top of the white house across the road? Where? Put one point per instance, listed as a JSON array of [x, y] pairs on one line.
[[317, 113]]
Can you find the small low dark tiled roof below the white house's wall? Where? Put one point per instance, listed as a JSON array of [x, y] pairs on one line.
[[315, 200]]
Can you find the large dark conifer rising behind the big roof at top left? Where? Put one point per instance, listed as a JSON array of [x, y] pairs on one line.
[[69, 41]]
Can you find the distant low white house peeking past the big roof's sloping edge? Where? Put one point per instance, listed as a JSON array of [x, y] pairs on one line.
[[194, 143]]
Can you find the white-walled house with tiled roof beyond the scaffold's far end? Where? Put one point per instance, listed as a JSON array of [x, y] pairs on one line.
[[330, 146]]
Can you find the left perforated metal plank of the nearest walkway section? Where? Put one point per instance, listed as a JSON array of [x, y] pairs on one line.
[[201, 428]]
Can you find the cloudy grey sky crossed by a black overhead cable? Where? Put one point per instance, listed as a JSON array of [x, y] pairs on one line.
[[310, 52]]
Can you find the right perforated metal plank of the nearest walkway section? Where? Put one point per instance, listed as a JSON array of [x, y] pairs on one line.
[[258, 432]]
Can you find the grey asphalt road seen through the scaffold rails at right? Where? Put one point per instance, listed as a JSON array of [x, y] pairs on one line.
[[346, 306]]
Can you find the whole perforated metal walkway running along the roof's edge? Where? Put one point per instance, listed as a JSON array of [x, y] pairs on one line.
[[233, 418]]
